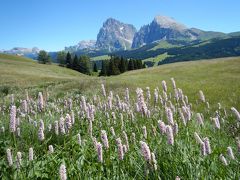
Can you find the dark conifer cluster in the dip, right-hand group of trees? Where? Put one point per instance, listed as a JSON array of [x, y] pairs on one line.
[[117, 65]]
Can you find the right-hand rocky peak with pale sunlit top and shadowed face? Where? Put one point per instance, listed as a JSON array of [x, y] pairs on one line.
[[162, 28]]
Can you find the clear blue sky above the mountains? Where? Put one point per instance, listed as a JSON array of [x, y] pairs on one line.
[[53, 24]]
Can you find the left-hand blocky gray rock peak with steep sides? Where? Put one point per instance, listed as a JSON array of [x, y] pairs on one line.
[[115, 35]]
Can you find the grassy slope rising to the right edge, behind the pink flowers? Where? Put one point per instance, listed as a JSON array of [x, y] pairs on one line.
[[219, 79]]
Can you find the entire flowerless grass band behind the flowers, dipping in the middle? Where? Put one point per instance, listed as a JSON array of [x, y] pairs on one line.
[[218, 78]]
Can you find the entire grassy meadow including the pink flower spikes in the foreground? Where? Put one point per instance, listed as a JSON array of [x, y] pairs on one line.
[[59, 123]]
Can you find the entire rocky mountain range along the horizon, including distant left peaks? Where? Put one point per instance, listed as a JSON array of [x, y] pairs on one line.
[[116, 36]]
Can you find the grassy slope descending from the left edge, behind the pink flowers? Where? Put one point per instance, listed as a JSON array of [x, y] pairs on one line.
[[18, 73]]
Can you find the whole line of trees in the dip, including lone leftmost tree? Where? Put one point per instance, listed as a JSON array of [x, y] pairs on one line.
[[115, 66]]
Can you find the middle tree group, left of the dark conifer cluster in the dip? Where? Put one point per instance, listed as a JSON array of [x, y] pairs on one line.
[[81, 63]]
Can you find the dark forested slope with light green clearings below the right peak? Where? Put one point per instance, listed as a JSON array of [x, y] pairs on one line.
[[186, 50]]
